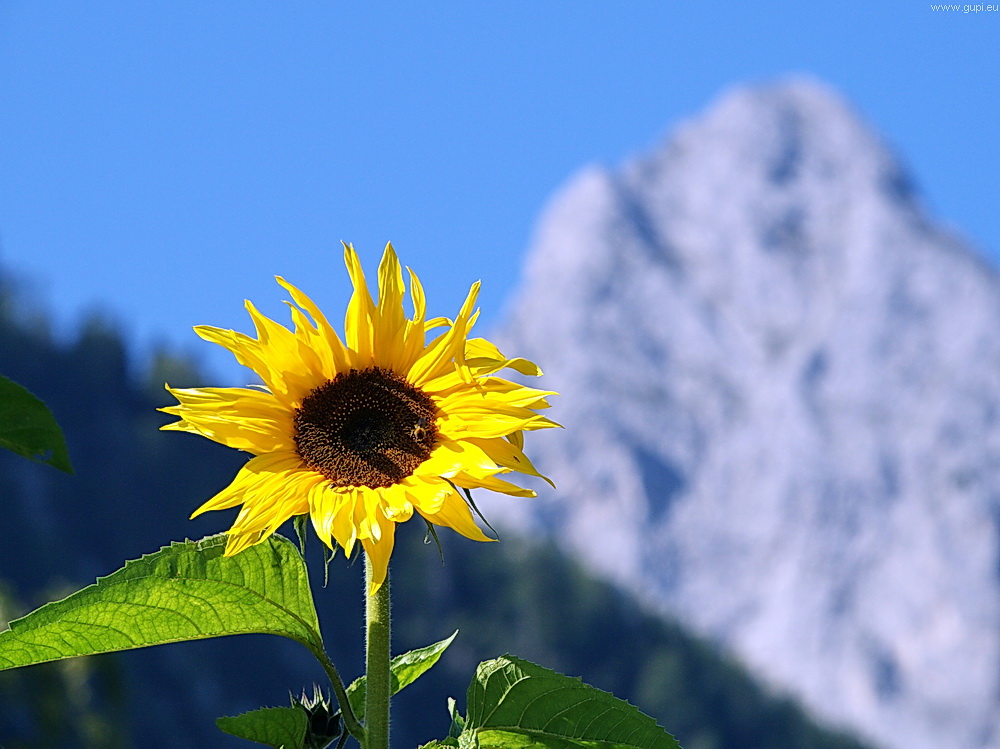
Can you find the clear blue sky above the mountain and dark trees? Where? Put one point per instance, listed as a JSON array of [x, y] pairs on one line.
[[163, 160]]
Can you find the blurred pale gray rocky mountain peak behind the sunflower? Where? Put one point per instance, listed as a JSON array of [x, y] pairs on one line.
[[781, 390]]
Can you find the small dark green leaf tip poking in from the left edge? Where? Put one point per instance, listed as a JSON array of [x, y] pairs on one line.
[[28, 427]]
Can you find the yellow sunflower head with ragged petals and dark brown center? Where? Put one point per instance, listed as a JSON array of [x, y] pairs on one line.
[[360, 433]]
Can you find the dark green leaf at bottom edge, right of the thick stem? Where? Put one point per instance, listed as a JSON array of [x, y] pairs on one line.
[[517, 704]]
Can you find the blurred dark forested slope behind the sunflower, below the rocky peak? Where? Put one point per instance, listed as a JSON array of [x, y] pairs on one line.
[[133, 490]]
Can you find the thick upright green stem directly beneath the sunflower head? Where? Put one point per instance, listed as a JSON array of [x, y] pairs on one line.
[[377, 679]]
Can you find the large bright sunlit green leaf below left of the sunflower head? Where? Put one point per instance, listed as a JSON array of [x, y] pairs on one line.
[[185, 591]]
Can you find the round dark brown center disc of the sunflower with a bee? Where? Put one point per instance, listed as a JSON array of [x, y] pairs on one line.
[[366, 427]]
